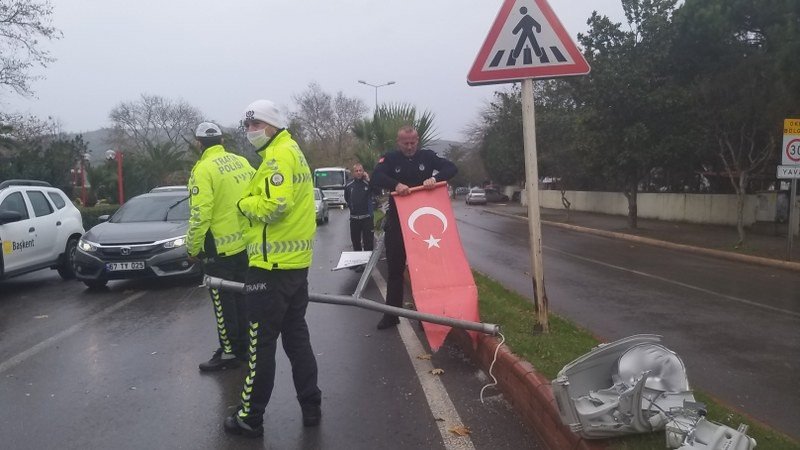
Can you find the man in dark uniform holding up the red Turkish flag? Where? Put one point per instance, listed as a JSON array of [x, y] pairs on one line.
[[399, 171]]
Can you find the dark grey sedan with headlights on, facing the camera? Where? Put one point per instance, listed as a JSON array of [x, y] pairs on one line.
[[145, 238]]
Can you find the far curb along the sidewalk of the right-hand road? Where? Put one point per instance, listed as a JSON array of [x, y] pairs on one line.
[[769, 262]]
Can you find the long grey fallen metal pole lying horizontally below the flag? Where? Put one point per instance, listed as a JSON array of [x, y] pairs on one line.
[[360, 302]]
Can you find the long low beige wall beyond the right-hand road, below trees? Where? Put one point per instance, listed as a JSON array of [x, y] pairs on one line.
[[719, 209]]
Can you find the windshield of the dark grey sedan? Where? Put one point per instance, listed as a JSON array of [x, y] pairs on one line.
[[153, 208]]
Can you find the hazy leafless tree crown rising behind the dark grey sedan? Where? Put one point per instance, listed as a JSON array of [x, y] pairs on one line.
[[151, 120]]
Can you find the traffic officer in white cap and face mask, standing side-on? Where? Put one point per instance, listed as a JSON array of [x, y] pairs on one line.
[[278, 218]]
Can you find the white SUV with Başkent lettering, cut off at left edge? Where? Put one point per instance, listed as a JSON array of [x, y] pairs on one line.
[[39, 228]]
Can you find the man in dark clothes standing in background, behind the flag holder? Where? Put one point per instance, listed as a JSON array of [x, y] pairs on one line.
[[358, 196]]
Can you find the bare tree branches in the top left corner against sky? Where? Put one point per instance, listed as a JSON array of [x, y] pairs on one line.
[[22, 24]]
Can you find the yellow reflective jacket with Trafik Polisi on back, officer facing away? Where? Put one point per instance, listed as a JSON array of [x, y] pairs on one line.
[[218, 181]]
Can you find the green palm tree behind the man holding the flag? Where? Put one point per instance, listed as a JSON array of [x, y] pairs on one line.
[[377, 136]]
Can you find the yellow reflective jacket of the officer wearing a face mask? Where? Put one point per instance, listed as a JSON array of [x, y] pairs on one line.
[[278, 208]]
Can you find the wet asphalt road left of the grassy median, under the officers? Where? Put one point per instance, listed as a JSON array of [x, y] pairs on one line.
[[118, 369]]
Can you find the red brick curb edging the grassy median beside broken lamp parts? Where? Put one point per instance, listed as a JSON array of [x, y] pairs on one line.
[[527, 390]]
